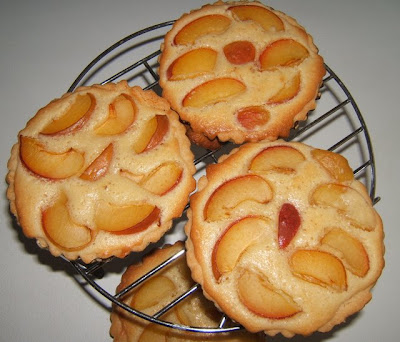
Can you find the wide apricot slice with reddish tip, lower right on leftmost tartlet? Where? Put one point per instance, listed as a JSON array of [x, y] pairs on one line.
[[121, 218]]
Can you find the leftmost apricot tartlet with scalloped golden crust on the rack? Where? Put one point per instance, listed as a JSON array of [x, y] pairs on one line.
[[100, 172]]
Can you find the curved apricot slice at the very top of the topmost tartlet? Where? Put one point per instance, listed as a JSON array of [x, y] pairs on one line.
[[264, 17]]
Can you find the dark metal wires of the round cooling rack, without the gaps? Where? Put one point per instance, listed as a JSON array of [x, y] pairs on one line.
[[89, 272]]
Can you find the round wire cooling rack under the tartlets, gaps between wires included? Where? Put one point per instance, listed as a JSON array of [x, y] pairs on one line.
[[336, 125]]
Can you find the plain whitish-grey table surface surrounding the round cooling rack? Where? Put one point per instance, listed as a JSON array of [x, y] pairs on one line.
[[44, 46]]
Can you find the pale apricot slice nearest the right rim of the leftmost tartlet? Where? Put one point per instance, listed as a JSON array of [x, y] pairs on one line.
[[162, 179]]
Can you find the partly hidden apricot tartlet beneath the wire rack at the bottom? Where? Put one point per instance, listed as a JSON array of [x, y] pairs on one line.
[[158, 291]]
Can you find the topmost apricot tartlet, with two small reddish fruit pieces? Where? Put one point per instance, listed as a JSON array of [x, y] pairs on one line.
[[239, 71]]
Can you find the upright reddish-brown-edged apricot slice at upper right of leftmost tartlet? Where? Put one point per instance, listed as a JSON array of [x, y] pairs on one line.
[[152, 134]]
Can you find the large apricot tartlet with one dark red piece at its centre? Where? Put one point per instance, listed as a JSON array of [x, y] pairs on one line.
[[283, 238]]
